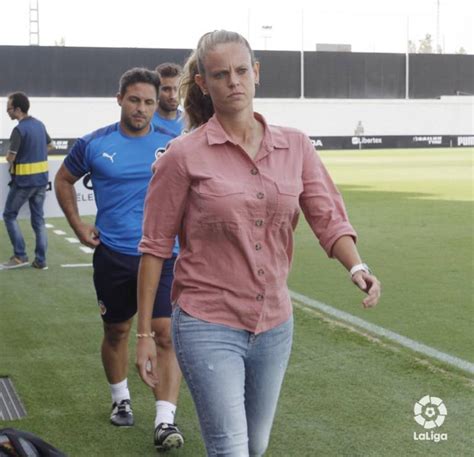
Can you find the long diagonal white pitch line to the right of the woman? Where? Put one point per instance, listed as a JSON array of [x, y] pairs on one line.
[[380, 331]]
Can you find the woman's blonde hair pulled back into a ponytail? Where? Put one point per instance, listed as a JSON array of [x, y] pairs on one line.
[[197, 106]]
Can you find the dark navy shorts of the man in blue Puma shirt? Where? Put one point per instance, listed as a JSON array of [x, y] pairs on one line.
[[115, 281]]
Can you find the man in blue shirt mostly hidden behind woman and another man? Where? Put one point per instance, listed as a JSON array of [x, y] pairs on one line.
[[168, 116]]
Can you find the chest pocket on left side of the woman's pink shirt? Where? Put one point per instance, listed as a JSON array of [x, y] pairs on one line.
[[220, 201]]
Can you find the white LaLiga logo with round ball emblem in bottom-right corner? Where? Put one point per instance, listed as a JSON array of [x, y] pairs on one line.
[[430, 412]]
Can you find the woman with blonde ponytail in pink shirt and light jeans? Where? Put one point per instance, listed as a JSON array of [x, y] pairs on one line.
[[232, 190]]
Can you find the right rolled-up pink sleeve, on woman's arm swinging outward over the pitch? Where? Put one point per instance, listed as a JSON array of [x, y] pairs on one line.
[[321, 201]]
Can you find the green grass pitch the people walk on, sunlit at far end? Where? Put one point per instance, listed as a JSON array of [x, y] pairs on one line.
[[346, 393]]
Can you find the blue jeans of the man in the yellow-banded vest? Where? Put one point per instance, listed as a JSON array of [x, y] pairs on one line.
[[17, 197]]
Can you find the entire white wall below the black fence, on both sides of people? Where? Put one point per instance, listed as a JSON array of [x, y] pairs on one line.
[[73, 117]]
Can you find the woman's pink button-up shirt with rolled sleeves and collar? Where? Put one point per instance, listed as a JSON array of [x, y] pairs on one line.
[[235, 218]]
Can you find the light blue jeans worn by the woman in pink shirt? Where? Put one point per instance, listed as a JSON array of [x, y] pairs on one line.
[[235, 378]]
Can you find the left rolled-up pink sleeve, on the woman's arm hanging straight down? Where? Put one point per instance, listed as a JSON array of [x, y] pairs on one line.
[[164, 204]]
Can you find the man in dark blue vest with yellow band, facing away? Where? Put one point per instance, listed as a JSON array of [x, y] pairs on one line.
[[28, 158]]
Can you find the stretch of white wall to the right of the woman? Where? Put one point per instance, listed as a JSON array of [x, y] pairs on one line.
[[331, 117]]
